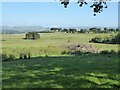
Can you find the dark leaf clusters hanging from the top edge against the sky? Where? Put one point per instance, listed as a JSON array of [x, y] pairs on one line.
[[97, 5]]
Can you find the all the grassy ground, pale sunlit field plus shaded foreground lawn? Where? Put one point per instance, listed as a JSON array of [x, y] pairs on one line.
[[56, 70]]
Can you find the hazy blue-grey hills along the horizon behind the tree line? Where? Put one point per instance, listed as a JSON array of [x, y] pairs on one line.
[[24, 29]]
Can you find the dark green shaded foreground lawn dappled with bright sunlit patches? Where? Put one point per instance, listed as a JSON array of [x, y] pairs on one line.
[[85, 71]]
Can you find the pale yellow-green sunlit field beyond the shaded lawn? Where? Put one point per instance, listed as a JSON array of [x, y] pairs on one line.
[[49, 43]]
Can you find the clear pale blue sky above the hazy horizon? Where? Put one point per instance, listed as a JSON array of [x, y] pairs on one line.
[[54, 14]]
